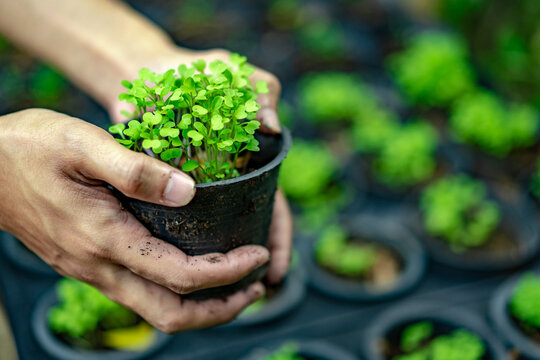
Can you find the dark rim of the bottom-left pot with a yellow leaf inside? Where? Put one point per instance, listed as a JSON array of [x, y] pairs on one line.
[[61, 351]]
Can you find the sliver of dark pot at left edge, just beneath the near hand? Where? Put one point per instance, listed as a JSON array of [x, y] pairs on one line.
[[22, 257]]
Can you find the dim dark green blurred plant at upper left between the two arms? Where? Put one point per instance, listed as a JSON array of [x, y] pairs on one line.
[[47, 86]]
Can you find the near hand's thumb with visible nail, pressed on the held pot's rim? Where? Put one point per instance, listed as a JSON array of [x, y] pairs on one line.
[[136, 175]]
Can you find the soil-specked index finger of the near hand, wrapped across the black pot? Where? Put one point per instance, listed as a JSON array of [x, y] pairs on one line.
[[165, 264]]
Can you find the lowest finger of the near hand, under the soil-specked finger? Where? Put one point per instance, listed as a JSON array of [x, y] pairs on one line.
[[167, 311]]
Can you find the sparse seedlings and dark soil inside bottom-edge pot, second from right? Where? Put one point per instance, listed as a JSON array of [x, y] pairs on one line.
[[431, 340]]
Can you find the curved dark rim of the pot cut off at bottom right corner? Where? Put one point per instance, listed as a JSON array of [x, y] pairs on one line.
[[505, 325]]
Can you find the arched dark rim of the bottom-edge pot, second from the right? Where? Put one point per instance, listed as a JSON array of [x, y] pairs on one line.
[[430, 311]]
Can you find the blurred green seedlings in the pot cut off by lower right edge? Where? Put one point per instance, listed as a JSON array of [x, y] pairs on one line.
[[525, 302]]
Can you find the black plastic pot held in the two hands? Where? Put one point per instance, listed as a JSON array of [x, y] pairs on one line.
[[223, 215]]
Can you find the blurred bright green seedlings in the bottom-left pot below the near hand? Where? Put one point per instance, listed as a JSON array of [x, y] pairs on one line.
[[83, 309]]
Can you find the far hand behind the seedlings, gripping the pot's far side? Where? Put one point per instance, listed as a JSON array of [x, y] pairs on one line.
[[280, 241]]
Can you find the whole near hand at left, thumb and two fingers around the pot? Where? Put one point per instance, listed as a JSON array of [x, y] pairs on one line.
[[54, 174]]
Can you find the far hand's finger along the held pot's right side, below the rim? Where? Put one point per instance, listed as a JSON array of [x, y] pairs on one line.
[[280, 240]]
